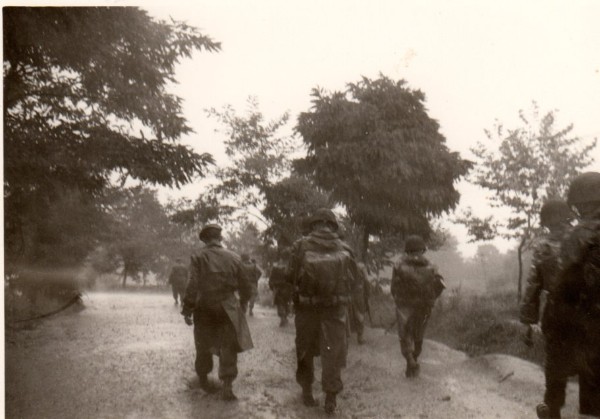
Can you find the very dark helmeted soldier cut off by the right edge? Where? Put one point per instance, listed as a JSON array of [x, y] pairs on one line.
[[571, 320]]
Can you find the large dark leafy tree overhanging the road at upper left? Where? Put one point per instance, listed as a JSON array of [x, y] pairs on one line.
[[86, 102]]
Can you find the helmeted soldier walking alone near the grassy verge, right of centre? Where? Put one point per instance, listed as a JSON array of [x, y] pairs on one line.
[[416, 285]]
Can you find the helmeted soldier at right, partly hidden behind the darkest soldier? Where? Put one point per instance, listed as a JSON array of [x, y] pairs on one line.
[[556, 216]]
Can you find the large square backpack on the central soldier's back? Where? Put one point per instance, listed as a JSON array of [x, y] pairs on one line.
[[325, 274]]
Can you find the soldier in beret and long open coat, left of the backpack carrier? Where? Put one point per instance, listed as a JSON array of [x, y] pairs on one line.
[[220, 326]]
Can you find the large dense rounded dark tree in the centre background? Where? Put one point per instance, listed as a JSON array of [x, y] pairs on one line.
[[378, 153]]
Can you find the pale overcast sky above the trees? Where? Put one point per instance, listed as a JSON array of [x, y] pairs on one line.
[[476, 61]]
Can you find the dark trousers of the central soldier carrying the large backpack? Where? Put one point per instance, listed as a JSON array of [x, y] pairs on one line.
[[324, 332]]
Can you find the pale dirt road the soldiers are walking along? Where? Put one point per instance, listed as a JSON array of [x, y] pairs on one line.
[[131, 356]]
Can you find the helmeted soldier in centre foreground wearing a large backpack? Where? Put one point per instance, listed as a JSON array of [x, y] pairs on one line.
[[324, 273]]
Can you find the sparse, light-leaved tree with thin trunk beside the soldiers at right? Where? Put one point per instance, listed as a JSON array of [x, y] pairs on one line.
[[522, 168]]
